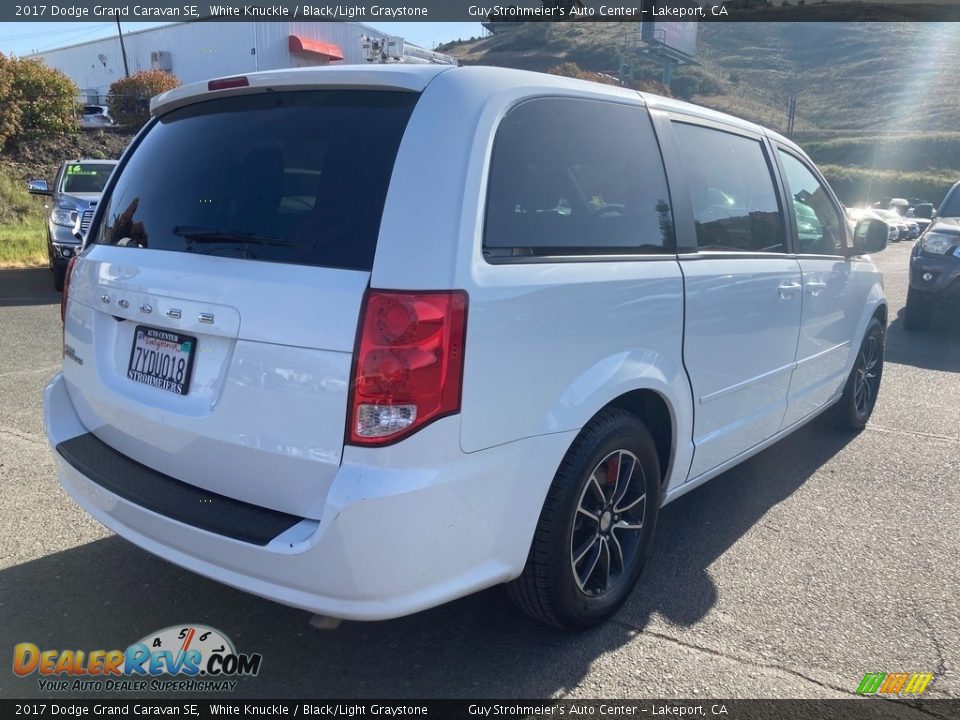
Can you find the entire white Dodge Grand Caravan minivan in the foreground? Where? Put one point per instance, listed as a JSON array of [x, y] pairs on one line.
[[363, 340]]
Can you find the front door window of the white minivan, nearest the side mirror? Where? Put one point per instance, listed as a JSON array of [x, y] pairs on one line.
[[818, 224]]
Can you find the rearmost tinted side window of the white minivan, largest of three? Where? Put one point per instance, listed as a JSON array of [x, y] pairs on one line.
[[576, 177]]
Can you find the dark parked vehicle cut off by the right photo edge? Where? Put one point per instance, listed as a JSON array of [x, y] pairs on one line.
[[935, 266]]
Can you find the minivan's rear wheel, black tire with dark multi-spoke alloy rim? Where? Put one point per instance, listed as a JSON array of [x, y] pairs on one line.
[[552, 588]]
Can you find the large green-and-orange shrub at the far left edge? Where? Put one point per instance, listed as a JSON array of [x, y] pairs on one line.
[[35, 101]]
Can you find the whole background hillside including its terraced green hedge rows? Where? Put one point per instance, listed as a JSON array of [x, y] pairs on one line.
[[870, 97]]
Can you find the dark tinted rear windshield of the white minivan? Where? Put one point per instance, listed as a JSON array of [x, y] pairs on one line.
[[295, 177]]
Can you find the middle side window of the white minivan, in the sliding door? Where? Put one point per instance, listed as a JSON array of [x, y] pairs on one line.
[[735, 204]]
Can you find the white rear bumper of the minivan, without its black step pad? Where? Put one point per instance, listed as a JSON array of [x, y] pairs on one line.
[[434, 525]]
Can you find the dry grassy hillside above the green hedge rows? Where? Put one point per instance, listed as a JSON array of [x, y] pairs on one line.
[[846, 76]]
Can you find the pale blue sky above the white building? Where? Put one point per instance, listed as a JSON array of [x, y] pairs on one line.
[[23, 38]]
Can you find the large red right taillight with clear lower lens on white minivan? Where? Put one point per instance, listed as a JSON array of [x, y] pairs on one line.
[[408, 367]]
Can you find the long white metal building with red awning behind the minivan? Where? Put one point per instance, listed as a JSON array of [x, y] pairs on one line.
[[194, 51]]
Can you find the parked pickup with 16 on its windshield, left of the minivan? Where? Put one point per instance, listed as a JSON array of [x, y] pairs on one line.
[[76, 188]]
